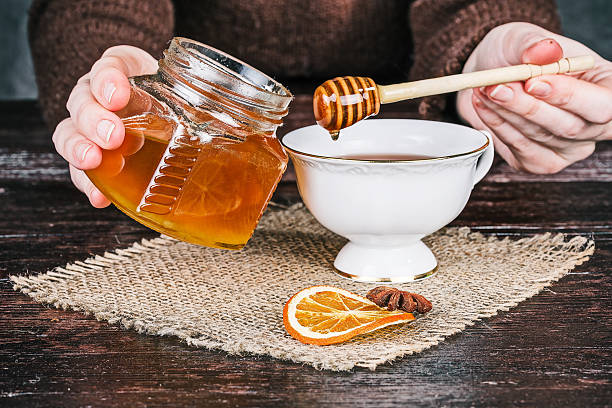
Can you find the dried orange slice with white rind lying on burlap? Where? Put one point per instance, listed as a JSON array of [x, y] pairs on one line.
[[326, 315]]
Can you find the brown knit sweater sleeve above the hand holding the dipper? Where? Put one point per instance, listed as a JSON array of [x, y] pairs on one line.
[[445, 32]]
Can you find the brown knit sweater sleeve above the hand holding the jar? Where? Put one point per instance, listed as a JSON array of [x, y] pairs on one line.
[[68, 36]]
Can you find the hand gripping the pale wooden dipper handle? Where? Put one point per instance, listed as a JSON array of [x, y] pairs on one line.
[[548, 122]]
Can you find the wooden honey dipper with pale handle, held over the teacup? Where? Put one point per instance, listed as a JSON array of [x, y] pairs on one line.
[[343, 101]]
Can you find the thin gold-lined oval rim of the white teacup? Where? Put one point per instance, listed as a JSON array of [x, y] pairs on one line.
[[352, 160]]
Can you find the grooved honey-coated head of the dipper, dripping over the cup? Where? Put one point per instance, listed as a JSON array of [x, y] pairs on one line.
[[342, 101]]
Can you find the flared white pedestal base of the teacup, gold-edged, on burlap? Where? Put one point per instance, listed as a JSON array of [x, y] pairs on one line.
[[386, 263]]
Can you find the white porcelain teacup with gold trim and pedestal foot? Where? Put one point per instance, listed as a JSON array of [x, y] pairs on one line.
[[385, 207]]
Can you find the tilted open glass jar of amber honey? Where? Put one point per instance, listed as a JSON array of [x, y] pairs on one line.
[[200, 159]]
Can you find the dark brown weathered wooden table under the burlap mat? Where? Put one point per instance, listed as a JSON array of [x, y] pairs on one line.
[[551, 350]]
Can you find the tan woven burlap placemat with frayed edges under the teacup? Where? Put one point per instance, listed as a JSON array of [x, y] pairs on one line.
[[233, 300]]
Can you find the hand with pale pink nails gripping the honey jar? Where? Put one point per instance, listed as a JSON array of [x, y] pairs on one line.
[[92, 125]]
